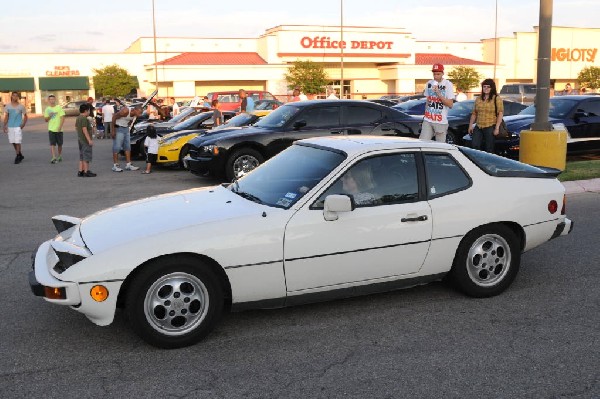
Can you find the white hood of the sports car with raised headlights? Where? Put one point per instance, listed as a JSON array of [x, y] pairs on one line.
[[133, 221]]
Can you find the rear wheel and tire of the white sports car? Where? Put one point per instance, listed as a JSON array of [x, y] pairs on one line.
[[487, 261]]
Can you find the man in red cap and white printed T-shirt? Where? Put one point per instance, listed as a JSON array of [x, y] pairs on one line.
[[440, 97]]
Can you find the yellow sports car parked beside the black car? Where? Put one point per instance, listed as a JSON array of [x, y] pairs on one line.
[[173, 146]]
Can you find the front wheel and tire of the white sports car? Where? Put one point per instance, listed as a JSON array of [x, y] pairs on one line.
[[174, 302]]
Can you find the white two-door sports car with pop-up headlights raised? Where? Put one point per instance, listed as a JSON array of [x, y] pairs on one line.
[[327, 218]]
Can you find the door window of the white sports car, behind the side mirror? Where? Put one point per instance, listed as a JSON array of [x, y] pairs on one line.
[[382, 180]]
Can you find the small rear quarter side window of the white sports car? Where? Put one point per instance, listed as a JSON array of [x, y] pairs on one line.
[[444, 175]]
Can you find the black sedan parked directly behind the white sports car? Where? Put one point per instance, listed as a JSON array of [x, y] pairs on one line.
[[235, 153]]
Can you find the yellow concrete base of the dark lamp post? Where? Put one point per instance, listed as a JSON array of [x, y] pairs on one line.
[[544, 148]]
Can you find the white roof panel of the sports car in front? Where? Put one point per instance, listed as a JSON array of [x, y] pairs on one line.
[[360, 144]]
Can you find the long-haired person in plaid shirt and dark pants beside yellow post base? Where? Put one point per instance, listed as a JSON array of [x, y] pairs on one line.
[[487, 115]]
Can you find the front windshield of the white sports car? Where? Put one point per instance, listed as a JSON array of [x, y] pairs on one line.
[[284, 179]]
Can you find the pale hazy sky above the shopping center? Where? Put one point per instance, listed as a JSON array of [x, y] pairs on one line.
[[111, 26]]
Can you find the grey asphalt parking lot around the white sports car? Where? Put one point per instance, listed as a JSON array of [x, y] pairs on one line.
[[540, 339]]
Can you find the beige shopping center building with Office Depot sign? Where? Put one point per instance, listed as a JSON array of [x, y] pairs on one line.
[[360, 62]]
